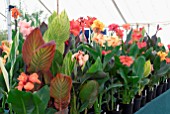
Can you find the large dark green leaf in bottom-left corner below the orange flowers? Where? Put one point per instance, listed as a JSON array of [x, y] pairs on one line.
[[25, 102]]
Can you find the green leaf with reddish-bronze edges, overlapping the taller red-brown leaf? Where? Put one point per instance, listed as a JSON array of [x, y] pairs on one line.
[[42, 57]]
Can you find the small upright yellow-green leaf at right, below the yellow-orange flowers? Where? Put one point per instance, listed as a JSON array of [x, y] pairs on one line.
[[147, 68]]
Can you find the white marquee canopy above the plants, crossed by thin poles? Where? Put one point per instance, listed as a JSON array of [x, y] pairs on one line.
[[134, 11]]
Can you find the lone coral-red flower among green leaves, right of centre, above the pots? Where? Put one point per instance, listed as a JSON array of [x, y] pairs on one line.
[[126, 60]]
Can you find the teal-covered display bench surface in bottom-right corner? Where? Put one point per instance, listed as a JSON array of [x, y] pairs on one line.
[[159, 105]]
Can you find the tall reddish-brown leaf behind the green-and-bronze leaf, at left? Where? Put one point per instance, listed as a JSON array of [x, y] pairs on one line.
[[32, 42]]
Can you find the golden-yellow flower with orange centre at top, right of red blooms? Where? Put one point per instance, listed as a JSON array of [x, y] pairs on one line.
[[97, 26]]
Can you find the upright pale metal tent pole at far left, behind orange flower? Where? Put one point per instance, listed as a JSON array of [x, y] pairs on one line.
[[9, 21]]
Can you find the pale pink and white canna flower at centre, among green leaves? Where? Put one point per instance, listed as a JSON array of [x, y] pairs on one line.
[[80, 57]]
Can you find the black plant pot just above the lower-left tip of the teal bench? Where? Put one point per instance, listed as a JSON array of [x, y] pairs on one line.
[[137, 103]]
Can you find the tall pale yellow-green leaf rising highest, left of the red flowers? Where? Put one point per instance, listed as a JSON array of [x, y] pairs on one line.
[[58, 30]]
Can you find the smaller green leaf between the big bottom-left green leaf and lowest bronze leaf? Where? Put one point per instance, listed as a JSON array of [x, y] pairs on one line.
[[44, 95]]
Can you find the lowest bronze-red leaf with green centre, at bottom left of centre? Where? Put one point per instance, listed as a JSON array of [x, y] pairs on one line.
[[60, 90]]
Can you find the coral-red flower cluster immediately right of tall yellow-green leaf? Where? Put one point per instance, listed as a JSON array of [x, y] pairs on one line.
[[74, 27]]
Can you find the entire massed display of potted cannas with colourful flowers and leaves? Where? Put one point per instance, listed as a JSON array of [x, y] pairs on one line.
[[55, 68]]
